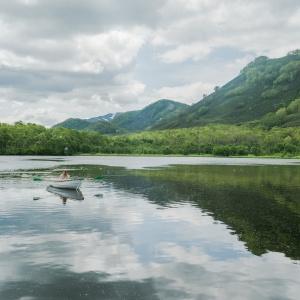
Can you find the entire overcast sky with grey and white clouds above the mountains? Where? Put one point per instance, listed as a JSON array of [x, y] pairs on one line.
[[75, 58]]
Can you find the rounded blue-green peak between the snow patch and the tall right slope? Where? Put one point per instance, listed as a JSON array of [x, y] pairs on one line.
[[148, 116]]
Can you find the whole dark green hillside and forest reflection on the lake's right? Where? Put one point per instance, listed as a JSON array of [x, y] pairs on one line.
[[261, 204]]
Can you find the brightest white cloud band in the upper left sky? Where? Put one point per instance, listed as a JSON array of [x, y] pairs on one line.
[[111, 50]]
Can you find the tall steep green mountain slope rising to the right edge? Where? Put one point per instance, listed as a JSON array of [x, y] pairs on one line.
[[263, 86]]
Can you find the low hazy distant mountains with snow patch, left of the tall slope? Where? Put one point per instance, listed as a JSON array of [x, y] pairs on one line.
[[127, 121]]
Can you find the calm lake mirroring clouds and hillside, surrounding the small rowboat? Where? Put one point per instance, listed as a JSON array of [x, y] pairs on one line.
[[150, 228]]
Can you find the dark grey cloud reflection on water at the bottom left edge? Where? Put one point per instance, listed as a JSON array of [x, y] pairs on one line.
[[64, 284]]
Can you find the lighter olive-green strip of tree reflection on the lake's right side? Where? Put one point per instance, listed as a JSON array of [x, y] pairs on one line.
[[280, 182]]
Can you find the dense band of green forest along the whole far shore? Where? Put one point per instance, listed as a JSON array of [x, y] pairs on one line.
[[223, 140]]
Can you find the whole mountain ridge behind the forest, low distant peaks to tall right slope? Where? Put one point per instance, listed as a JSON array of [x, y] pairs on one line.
[[261, 89]]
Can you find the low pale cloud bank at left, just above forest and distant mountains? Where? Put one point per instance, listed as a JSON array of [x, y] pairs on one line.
[[81, 102]]
